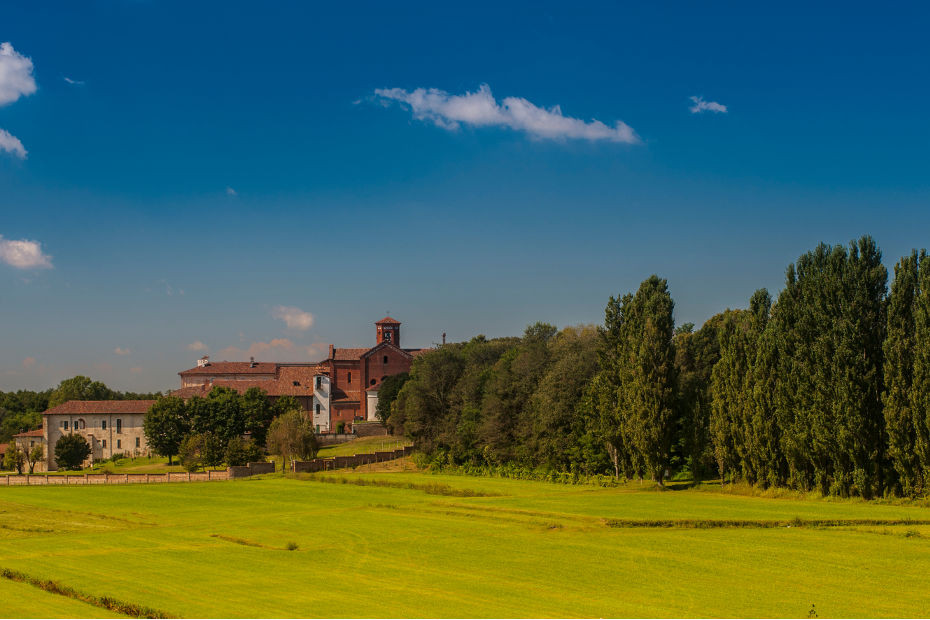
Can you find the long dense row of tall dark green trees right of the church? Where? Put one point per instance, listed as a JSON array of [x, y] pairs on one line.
[[826, 387]]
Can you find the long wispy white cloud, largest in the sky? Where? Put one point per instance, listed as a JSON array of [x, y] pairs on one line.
[[481, 109]]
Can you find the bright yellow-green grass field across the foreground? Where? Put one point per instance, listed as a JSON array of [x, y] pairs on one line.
[[456, 546]]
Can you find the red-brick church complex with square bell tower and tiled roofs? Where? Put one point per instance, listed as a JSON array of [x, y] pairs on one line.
[[342, 388]]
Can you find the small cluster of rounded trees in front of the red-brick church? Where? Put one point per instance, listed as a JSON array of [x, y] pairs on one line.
[[207, 432]]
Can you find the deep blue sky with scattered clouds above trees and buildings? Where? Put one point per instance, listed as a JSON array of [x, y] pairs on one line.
[[265, 178]]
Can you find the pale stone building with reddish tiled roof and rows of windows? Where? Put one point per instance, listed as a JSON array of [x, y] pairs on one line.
[[109, 426]]
